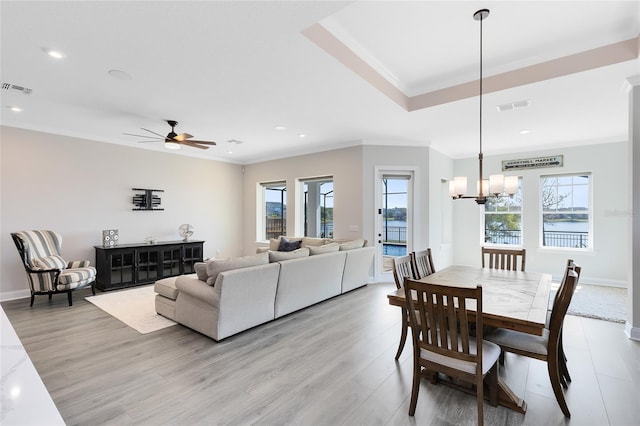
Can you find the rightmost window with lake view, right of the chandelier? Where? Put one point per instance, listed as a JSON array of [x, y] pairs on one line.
[[566, 214]]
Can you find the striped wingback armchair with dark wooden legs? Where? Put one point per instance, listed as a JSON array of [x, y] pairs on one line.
[[47, 271]]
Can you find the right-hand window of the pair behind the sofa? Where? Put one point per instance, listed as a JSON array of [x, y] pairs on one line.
[[318, 207]]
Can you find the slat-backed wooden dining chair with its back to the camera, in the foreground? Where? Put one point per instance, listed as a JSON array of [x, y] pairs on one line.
[[447, 346]]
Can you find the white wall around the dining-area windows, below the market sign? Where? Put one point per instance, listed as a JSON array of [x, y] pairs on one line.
[[607, 263]]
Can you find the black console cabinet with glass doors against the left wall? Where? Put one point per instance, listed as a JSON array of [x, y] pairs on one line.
[[129, 265]]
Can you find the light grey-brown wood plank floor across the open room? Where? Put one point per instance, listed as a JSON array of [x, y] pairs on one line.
[[329, 364]]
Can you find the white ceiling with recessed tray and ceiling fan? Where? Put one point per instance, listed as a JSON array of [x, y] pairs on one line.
[[235, 70]]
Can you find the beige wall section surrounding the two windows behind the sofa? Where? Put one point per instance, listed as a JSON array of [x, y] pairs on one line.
[[345, 165]]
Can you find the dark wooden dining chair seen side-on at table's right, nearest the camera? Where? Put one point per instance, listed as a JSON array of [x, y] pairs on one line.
[[548, 346]]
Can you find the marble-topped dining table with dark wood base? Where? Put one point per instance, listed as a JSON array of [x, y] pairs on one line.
[[515, 300]]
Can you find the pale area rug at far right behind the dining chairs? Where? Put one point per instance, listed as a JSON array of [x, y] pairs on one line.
[[599, 302]]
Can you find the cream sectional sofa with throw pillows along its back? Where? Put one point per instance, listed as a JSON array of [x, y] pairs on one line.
[[226, 297]]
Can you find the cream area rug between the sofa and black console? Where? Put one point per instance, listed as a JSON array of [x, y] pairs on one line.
[[135, 307]]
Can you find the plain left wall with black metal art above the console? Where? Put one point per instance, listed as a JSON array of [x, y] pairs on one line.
[[79, 187]]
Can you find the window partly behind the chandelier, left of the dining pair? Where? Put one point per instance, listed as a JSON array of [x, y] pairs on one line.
[[503, 219]]
